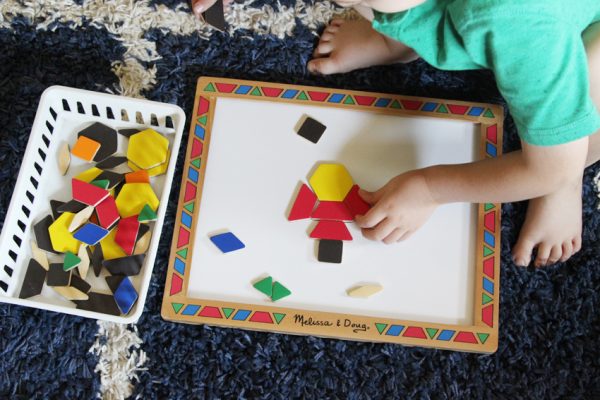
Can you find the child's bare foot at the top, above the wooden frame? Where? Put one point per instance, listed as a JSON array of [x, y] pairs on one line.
[[348, 45]]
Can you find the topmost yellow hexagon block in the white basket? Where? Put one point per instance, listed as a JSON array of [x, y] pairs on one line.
[[147, 149]]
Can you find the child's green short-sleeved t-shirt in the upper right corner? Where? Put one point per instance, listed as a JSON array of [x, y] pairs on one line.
[[534, 48]]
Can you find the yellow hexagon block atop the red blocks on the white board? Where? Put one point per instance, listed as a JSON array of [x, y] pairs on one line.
[[331, 182]]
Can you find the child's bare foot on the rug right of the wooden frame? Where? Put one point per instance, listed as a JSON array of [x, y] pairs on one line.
[[553, 225]]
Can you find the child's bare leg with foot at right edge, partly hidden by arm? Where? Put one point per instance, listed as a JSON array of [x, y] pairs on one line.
[[553, 222]]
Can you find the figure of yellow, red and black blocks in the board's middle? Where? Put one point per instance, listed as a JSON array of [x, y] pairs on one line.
[[333, 201]]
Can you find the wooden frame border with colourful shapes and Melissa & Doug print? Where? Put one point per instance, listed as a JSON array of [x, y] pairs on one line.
[[482, 336]]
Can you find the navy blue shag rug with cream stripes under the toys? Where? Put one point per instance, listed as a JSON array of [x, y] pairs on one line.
[[549, 320]]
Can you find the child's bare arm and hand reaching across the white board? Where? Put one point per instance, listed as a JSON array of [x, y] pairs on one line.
[[406, 202]]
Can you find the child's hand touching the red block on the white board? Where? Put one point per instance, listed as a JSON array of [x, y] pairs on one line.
[[400, 207]]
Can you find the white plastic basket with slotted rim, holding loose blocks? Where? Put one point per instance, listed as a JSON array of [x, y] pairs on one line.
[[61, 113]]
